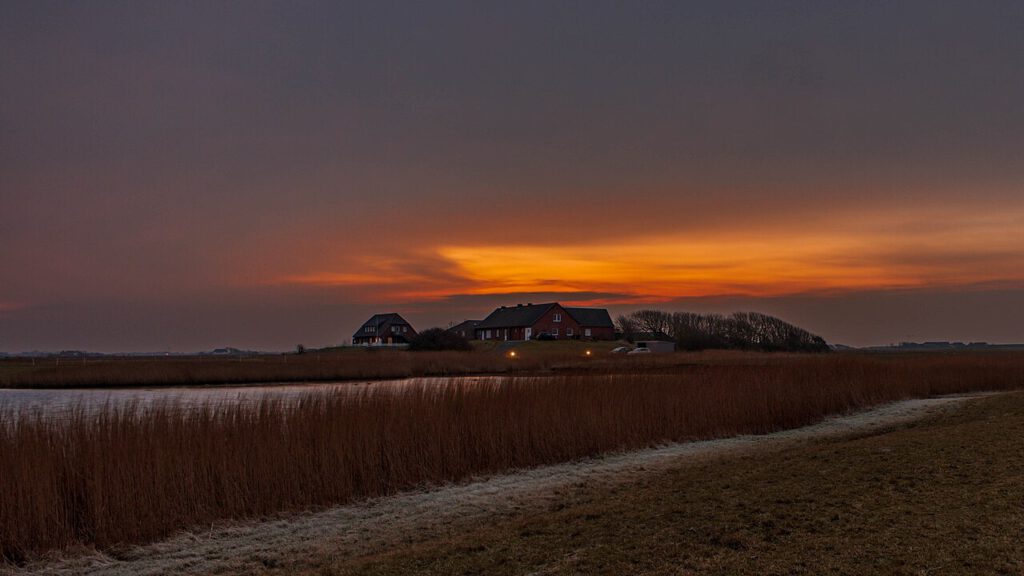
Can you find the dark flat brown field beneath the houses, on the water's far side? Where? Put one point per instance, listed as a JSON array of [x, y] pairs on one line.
[[533, 358]]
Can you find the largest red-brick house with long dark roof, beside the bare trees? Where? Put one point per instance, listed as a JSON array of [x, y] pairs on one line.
[[527, 322]]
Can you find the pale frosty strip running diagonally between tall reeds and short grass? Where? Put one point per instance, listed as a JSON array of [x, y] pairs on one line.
[[381, 524]]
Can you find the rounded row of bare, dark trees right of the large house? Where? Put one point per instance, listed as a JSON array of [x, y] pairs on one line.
[[744, 331]]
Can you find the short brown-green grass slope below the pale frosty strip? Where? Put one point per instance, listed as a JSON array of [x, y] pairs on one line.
[[942, 498]]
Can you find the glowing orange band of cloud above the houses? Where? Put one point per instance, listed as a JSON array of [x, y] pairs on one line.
[[934, 250]]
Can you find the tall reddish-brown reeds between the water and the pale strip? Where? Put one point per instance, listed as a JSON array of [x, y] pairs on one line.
[[129, 475]]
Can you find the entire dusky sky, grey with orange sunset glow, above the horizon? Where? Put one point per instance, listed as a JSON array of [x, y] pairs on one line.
[[187, 176]]
